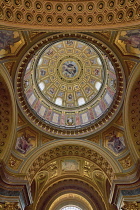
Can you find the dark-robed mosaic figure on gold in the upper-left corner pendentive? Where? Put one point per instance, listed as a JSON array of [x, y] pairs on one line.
[[7, 39]]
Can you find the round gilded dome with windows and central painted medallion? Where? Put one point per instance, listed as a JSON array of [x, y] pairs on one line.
[[69, 84]]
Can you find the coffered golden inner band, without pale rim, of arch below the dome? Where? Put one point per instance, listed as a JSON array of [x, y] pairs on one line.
[[70, 151]]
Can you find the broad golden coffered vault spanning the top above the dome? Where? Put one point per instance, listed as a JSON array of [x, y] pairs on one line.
[[69, 15]]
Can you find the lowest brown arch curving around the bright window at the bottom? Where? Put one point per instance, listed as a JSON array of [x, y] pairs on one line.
[[74, 186]]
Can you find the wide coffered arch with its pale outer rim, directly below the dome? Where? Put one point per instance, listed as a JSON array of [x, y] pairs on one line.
[[69, 148]]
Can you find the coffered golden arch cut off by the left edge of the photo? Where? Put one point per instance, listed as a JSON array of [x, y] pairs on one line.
[[8, 110]]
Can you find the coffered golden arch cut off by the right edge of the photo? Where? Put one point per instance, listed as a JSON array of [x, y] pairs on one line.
[[132, 113]]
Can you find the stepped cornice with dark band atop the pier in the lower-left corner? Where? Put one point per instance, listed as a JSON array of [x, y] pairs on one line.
[[14, 189]]
